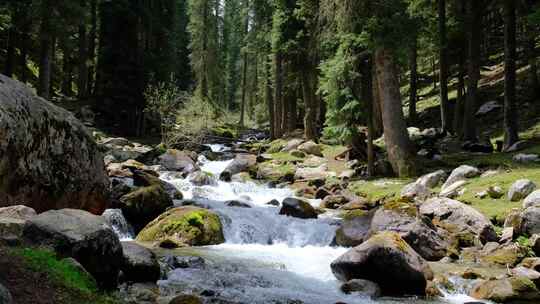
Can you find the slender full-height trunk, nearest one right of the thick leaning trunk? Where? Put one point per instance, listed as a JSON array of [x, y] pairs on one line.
[[443, 69]]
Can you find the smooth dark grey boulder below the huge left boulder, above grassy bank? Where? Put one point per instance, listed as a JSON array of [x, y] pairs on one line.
[[81, 235]]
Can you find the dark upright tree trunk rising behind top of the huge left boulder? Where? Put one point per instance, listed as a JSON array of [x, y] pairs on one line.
[[45, 53]]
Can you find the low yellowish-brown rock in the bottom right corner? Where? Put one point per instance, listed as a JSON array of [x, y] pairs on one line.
[[506, 290]]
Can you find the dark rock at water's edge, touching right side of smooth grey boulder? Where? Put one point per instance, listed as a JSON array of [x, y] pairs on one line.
[[140, 264]]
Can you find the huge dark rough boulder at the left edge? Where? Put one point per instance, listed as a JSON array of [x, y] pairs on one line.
[[48, 159]]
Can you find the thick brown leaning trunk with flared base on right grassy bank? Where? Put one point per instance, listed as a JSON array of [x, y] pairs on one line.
[[398, 144]]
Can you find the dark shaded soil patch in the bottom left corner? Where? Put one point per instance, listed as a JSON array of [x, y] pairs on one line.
[[25, 286]]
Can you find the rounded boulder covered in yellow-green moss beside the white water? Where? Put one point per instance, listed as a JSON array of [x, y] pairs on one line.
[[184, 226]]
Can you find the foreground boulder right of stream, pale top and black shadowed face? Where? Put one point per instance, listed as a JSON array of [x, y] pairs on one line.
[[387, 260]]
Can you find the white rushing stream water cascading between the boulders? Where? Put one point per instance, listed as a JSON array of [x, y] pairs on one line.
[[267, 258]]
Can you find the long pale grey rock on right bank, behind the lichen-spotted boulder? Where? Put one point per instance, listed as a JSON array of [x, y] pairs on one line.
[[458, 218]]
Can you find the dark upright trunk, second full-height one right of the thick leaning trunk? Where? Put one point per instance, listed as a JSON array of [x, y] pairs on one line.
[[474, 32]]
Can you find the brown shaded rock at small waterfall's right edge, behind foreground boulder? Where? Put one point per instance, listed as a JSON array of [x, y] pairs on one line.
[[354, 229]]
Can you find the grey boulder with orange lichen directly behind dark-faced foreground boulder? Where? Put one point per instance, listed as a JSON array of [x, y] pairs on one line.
[[421, 236]]
